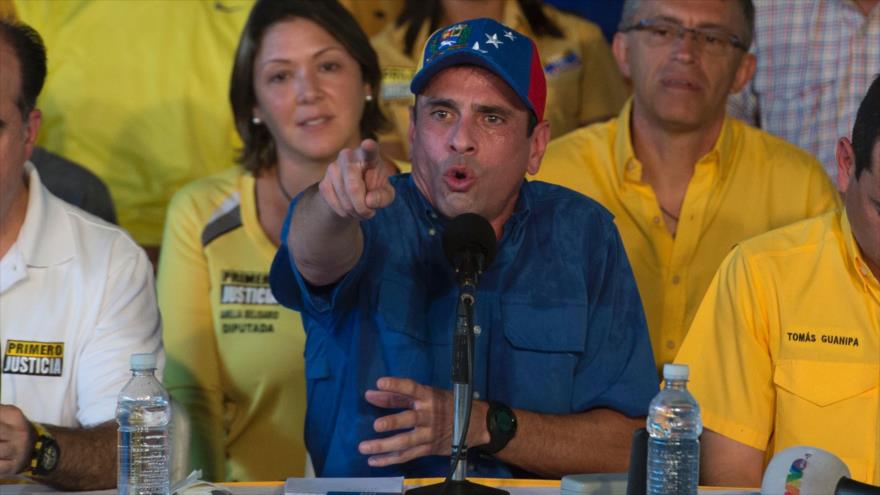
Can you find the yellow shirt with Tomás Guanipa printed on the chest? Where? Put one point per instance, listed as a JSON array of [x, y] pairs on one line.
[[785, 348]]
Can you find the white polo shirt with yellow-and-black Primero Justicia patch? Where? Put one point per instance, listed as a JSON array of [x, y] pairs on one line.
[[77, 298]]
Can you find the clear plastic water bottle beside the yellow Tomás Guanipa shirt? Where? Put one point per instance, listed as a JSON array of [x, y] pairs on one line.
[[674, 428]]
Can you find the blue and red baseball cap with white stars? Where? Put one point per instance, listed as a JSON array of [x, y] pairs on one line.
[[487, 43]]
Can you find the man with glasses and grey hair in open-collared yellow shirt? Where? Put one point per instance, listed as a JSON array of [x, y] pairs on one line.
[[684, 182]]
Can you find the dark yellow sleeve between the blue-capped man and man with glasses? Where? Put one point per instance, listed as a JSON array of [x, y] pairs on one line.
[[604, 89]]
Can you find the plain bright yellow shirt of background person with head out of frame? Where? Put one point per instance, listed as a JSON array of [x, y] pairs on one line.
[[138, 92]]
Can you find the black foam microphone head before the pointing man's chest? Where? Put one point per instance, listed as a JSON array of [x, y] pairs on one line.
[[469, 245]]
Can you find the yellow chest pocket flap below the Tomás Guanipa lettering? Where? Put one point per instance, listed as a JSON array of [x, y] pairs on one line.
[[826, 383]]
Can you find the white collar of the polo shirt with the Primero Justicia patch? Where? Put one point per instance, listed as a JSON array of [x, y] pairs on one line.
[[46, 237]]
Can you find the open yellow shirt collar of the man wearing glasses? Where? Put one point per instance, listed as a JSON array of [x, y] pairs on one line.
[[629, 168]]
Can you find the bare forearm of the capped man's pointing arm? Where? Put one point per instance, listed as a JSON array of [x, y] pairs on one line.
[[325, 246]]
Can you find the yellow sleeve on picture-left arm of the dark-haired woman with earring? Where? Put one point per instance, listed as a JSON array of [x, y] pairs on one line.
[[192, 372]]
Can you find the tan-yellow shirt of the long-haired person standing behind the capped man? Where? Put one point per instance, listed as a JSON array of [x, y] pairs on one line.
[[583, 82]]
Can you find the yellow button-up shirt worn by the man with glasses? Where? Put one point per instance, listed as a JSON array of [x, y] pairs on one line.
[[749, 183]]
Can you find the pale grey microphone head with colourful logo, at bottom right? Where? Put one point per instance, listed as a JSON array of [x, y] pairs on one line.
[[804, 470]]
